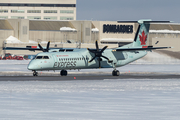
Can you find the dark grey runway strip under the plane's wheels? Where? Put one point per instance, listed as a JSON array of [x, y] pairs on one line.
[[55, 77]]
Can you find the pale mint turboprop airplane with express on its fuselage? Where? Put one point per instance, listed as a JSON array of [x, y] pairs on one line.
[[67, 59]]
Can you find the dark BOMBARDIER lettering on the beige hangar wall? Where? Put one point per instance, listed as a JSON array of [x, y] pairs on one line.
[[117, 28]]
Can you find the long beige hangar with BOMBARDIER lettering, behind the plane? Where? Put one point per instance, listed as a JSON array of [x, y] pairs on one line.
[[62, 33]]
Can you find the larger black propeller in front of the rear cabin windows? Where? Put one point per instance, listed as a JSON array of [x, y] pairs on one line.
[[98, 53]]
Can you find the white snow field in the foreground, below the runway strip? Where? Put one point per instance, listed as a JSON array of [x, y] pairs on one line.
[[124, 99]]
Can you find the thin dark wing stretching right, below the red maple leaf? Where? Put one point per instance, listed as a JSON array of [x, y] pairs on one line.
[[138, 49]]
